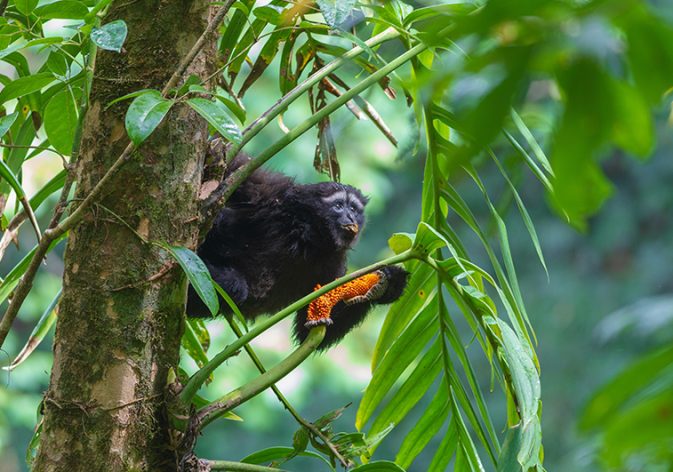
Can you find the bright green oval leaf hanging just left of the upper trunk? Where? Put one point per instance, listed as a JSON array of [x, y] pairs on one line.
[[60, 121]]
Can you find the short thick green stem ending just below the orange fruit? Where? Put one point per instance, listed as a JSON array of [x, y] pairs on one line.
[[261, 383]]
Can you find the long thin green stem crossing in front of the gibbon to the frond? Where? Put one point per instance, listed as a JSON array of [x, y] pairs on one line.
[[195, 382]]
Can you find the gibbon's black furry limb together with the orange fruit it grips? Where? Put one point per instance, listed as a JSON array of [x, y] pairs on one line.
[[346, 306]]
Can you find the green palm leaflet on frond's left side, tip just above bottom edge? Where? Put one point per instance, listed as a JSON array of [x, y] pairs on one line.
[[426, 428]]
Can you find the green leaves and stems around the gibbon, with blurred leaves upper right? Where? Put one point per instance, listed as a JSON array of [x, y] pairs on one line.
[[541, 86]]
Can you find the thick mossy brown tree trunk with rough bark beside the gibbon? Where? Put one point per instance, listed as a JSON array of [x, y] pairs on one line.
[[121, 315]]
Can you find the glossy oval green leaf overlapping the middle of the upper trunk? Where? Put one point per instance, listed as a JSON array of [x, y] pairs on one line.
[[144, 115]]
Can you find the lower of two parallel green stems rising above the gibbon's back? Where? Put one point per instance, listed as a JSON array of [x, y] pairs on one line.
[[243, 172]]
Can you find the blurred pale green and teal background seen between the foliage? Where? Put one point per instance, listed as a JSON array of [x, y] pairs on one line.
[[624, 258]]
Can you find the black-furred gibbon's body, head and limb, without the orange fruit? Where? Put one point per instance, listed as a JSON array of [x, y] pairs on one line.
[[275, 240]]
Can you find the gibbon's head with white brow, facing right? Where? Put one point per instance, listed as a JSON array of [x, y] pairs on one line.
[[342, 208]]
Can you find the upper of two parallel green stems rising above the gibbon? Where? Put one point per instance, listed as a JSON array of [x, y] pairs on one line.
[[282, 104]]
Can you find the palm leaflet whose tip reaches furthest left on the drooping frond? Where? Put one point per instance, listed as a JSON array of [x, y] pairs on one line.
[[398, 358]]
